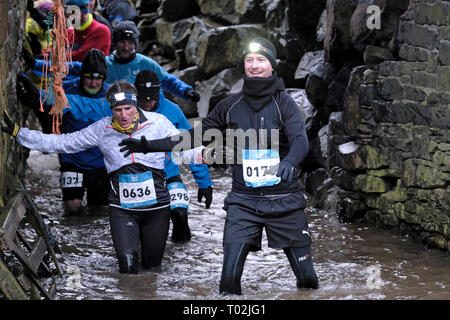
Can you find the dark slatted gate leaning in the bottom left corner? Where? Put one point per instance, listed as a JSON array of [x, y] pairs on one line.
[[28, 264]]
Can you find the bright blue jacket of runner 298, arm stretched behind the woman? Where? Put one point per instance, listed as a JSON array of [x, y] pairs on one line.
[[95, 109]]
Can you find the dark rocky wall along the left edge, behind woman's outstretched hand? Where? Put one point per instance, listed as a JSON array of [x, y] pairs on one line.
[[12, 28]]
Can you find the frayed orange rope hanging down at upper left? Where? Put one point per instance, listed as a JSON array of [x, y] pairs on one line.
[[58, 66]]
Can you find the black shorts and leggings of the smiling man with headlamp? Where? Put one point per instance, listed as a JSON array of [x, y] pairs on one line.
[[286, 227]]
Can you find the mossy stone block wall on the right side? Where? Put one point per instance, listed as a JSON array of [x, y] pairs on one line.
[[395, 170]]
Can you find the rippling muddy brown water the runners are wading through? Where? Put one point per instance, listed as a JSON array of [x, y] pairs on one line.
[[353, 261]]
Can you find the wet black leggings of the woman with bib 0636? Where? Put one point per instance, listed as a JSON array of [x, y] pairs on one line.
[[131, 228]]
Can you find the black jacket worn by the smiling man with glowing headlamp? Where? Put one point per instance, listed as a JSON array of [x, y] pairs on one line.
[[262, 106]]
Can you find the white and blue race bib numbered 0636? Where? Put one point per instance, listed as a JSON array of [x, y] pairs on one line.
[[137, 190]]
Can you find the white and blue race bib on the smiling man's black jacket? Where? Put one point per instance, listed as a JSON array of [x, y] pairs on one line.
[[260, 167]]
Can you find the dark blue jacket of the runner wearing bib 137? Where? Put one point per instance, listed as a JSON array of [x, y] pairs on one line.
[[91, 158]]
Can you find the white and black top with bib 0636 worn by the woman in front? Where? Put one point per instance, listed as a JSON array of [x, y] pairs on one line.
[[137, 181]]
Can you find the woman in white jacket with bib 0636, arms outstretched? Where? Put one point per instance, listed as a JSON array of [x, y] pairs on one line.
[[138, 199]]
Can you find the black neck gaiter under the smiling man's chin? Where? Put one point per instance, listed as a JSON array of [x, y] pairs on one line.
[[259, 91]]
